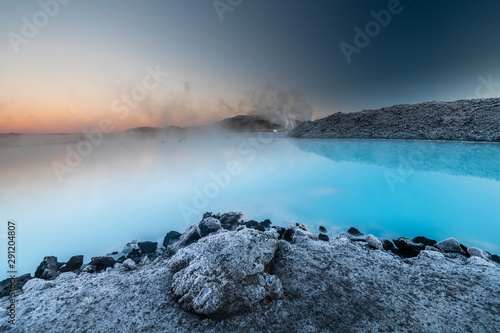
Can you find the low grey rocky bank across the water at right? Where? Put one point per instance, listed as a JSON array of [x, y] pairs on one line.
[[463, 120]]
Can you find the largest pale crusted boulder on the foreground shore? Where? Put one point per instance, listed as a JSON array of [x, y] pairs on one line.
[[224, 273]]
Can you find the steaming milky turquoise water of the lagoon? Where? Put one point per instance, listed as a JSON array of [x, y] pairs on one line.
[[140, 188]]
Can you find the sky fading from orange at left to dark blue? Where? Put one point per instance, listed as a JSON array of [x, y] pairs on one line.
[[70, 65]]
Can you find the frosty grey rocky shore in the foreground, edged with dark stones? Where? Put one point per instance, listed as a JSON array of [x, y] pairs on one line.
[[228, 275]]
